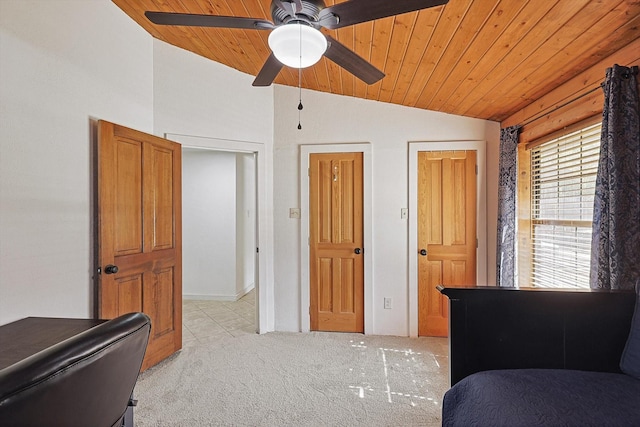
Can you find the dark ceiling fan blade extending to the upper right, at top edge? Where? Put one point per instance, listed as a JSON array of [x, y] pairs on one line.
[[357, 11]]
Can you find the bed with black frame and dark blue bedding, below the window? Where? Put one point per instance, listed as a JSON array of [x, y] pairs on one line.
[[521, 358]]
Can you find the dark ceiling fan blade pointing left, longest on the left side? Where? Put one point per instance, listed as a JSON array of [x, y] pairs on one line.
[[192, 20]]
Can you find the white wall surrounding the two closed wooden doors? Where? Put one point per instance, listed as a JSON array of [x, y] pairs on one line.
[[329, 119]]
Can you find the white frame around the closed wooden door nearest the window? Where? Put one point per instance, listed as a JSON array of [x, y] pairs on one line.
[[481, 215]]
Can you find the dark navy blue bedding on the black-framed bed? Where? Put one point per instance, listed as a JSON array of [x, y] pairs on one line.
[[543, 397]]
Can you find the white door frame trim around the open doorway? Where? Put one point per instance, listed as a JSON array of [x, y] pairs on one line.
[[265, 308]]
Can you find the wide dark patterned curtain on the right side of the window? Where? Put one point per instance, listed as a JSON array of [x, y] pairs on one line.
[[615, 244]]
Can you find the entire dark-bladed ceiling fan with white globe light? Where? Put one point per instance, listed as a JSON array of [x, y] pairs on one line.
[[296, 40]]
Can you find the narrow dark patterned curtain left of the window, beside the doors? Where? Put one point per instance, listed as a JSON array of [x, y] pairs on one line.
[[507, 191]]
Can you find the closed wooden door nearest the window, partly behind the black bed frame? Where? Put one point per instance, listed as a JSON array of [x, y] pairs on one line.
[[446, 232]]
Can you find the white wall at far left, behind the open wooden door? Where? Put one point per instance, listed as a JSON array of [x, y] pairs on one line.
[[62, 65]]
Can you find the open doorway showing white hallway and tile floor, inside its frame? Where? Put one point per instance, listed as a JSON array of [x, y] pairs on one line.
[[219, 243]]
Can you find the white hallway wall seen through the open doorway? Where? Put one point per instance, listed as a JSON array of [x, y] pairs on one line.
[[218, 217]]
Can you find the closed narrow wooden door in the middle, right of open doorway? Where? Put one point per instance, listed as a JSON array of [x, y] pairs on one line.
[[336, 242]]
